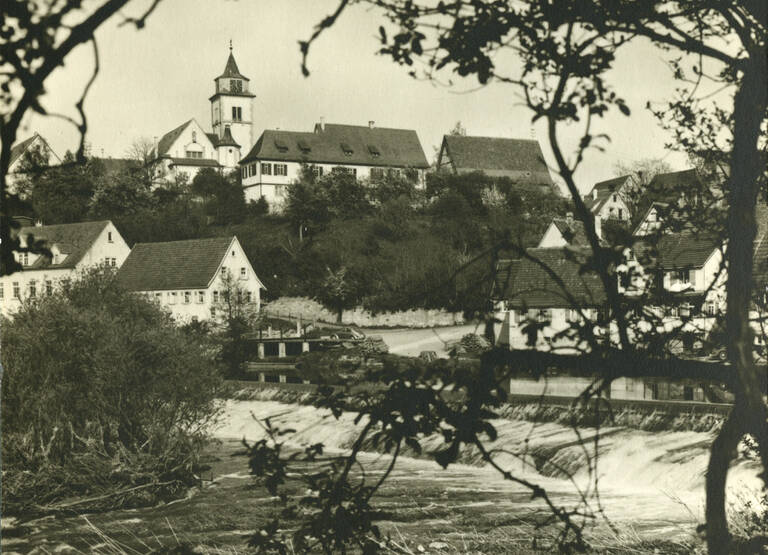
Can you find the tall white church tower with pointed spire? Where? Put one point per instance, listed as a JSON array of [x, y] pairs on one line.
[[231, 110]]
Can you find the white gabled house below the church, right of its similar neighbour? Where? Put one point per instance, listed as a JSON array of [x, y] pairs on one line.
[[192, 279]]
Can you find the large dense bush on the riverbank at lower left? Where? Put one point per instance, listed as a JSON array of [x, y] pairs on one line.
[[101, 391]]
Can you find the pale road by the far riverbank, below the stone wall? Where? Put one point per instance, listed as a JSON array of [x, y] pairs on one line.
[[410, 342]]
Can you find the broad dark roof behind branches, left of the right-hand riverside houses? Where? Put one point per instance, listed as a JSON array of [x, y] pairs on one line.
[[524, 283]]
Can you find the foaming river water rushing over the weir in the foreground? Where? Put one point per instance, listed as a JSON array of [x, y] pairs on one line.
[[650, 488]]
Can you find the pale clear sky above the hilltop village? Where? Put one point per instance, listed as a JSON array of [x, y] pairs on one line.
[[154, 79]]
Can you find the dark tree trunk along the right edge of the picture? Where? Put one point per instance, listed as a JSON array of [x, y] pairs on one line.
[[749, 413]]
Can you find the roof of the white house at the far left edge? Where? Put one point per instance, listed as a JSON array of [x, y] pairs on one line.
[[74, 240]]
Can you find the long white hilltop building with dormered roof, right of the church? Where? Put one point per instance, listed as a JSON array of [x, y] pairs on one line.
[[367, 152]]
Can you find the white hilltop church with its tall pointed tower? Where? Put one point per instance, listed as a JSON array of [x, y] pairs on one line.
[[188, 148]]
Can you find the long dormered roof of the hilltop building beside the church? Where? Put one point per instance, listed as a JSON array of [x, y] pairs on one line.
[[342, 144]]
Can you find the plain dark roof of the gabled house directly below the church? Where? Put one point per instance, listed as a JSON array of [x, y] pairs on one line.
[[173, 265]]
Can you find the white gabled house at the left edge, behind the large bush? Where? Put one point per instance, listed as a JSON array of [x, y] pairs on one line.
[[74, 247]]
